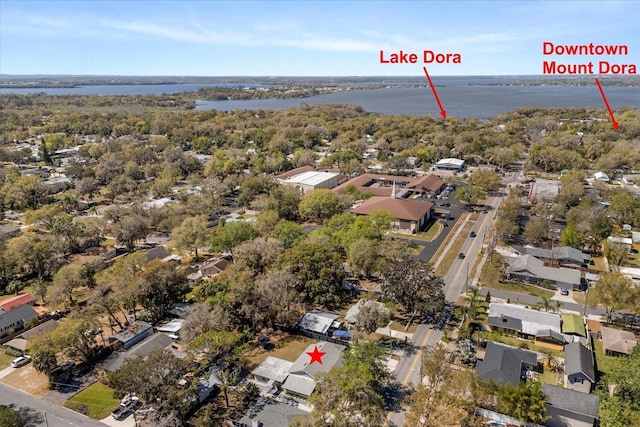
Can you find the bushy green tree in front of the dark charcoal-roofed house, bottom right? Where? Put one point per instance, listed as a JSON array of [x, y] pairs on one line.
[[526, 401]]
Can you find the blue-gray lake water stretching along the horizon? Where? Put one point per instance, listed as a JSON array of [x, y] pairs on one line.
[[482, 97]]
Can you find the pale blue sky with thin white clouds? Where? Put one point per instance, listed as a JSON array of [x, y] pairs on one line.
[[303, 38]]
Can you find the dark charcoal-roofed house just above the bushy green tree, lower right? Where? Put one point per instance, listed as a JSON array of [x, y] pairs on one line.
[[506, 365]]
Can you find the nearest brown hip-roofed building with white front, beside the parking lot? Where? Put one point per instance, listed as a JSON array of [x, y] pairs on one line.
[[412, 215]]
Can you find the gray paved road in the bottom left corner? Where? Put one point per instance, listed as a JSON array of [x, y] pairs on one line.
[[37, 413]]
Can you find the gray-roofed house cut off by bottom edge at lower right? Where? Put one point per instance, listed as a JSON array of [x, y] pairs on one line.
[[570, 408]]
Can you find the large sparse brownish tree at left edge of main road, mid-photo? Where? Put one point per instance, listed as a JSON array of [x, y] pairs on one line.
[[413, 284]]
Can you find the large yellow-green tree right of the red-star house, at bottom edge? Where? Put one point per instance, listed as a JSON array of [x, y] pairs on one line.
[[352, 395]]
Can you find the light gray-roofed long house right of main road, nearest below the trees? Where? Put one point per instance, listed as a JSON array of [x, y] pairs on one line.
[[532, 270]]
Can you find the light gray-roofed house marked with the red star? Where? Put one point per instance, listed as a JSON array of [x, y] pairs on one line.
[[300, 381]]
